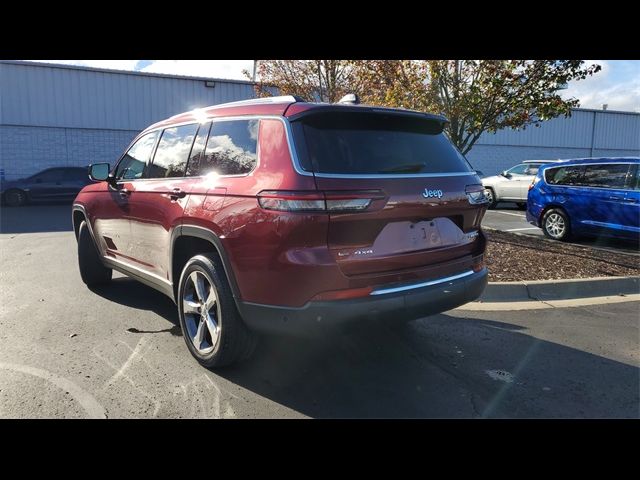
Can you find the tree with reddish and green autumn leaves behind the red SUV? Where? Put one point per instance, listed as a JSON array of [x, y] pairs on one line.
[[476, 96]]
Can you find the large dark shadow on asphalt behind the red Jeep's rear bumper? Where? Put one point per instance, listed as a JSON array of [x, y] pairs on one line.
[[439, 367]]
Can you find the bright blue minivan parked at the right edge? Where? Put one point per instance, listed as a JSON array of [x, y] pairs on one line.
[[587, 196]]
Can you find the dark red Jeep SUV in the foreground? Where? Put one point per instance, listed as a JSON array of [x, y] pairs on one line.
[[277, 214]]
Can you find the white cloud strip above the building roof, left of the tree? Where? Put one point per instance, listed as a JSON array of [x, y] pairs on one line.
[[231, 69]]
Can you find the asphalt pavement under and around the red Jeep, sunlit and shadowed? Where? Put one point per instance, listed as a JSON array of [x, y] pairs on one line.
[[117, 352]]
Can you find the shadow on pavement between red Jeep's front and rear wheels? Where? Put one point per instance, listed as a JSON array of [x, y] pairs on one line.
[[133, 294]]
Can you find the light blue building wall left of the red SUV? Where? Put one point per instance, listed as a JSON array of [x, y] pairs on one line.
[[61, 115]]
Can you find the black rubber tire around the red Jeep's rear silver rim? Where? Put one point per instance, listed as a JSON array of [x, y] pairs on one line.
[[235, 342]]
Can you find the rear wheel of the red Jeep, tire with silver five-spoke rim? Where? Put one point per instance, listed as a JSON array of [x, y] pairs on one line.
[[211, 325]]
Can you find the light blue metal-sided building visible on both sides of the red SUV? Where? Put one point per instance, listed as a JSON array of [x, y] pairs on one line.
[[59, 115]]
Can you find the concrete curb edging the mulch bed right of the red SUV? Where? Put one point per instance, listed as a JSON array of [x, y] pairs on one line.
[[551, 290]]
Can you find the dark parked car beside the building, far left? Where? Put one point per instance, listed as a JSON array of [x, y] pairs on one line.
[[62, 183]]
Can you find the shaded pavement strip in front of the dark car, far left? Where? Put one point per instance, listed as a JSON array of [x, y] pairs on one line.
[[36, 218]]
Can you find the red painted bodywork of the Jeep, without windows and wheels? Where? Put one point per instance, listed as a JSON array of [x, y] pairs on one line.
[[287, 258]]
